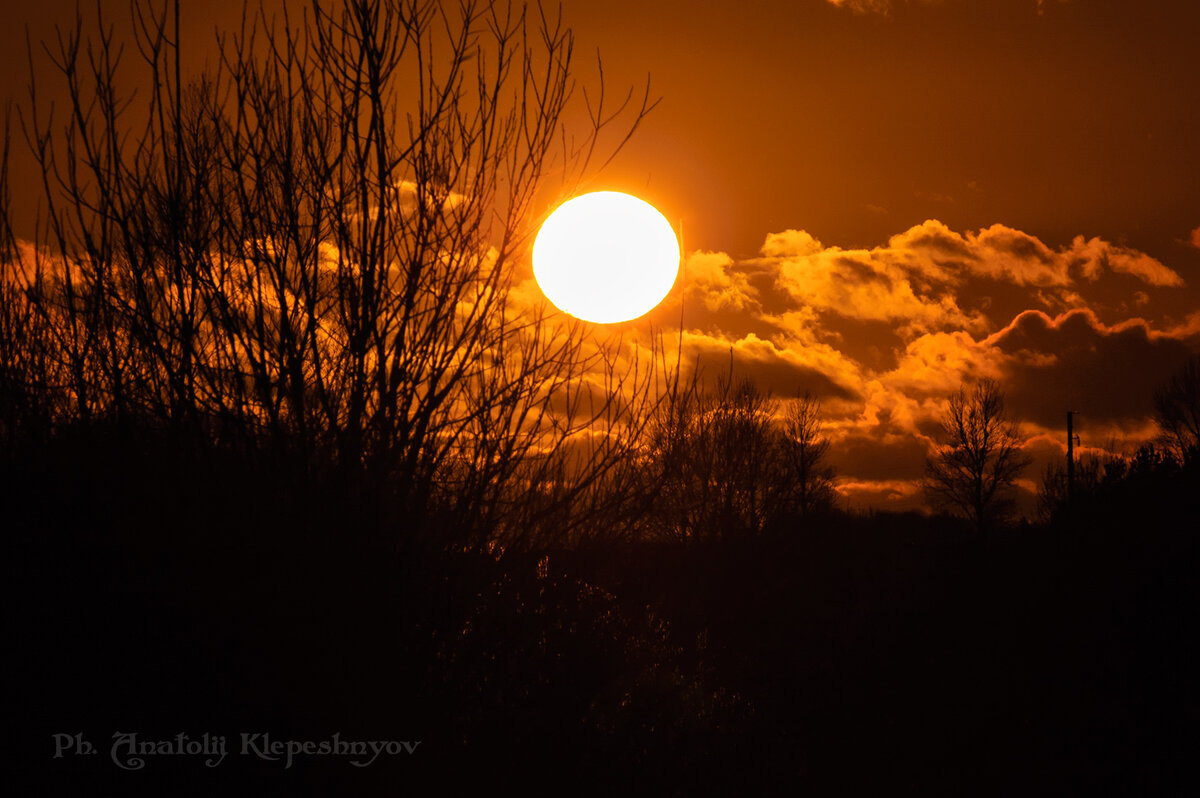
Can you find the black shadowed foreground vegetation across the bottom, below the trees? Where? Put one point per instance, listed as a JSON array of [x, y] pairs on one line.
[[884, 653]]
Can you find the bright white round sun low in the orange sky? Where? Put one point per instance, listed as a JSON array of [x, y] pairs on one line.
[[607, 257]]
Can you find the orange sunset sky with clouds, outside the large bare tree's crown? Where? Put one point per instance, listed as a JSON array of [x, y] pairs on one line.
[[883, 199]]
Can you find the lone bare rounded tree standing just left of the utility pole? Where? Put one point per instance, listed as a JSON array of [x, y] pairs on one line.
[[974, 470]]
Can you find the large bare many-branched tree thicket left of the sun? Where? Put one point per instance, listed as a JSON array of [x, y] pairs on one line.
[[308, 255]]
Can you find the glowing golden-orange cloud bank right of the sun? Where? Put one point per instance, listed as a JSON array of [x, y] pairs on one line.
[[885, 335]]
